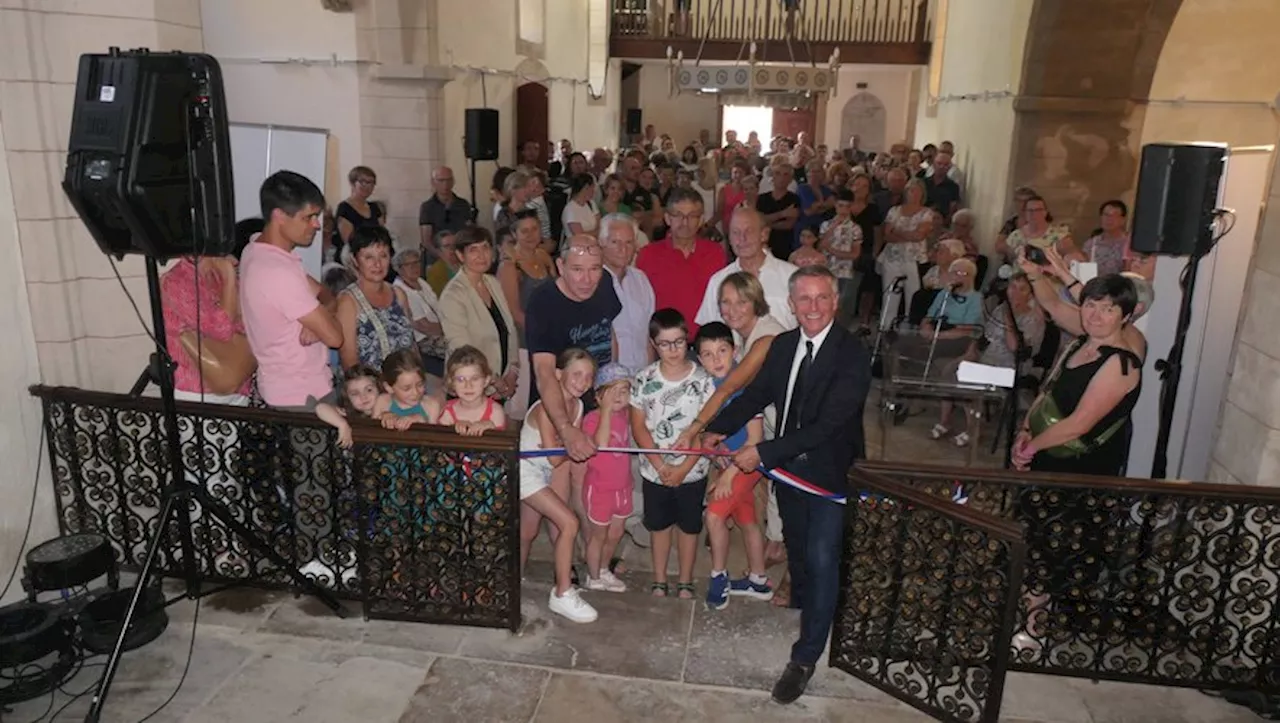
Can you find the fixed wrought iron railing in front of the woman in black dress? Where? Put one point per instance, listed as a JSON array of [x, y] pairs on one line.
[[1145, 582]]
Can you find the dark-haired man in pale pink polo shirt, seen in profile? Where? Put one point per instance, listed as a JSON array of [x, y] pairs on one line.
[[289, 330]]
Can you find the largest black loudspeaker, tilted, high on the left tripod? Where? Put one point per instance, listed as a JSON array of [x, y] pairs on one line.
[[149, 166]]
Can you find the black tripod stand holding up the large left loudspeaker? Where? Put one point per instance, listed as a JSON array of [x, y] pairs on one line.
[[177, 498]]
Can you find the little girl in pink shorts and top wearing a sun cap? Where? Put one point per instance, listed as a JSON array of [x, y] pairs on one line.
[[607, 487]]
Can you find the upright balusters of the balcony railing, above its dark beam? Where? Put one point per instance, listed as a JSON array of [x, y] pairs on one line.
[[816, 21]]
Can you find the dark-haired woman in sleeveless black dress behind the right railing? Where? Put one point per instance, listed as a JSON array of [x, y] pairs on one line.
[[1081, 425]]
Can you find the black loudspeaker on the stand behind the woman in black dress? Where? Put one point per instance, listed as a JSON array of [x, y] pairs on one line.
[[1174, 209]]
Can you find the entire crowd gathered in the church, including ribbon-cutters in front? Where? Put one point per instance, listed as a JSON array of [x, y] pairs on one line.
[[719, 299]]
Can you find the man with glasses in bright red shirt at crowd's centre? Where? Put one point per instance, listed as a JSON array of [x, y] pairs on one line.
[[680, 266]]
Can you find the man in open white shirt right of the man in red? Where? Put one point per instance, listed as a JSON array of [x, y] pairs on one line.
[[749, 237]]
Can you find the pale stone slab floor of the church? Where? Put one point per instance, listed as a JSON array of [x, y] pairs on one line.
[[264, 657]]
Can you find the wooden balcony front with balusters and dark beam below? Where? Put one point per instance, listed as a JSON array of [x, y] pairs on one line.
[[650, 26]]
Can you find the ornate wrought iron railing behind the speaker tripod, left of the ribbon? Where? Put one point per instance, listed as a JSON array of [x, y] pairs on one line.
[[420, 525]]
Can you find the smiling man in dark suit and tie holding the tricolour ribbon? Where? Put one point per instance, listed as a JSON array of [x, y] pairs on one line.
[[817, 377]]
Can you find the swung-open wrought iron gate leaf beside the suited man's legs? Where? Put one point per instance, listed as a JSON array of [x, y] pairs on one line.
[[929, 596]]
